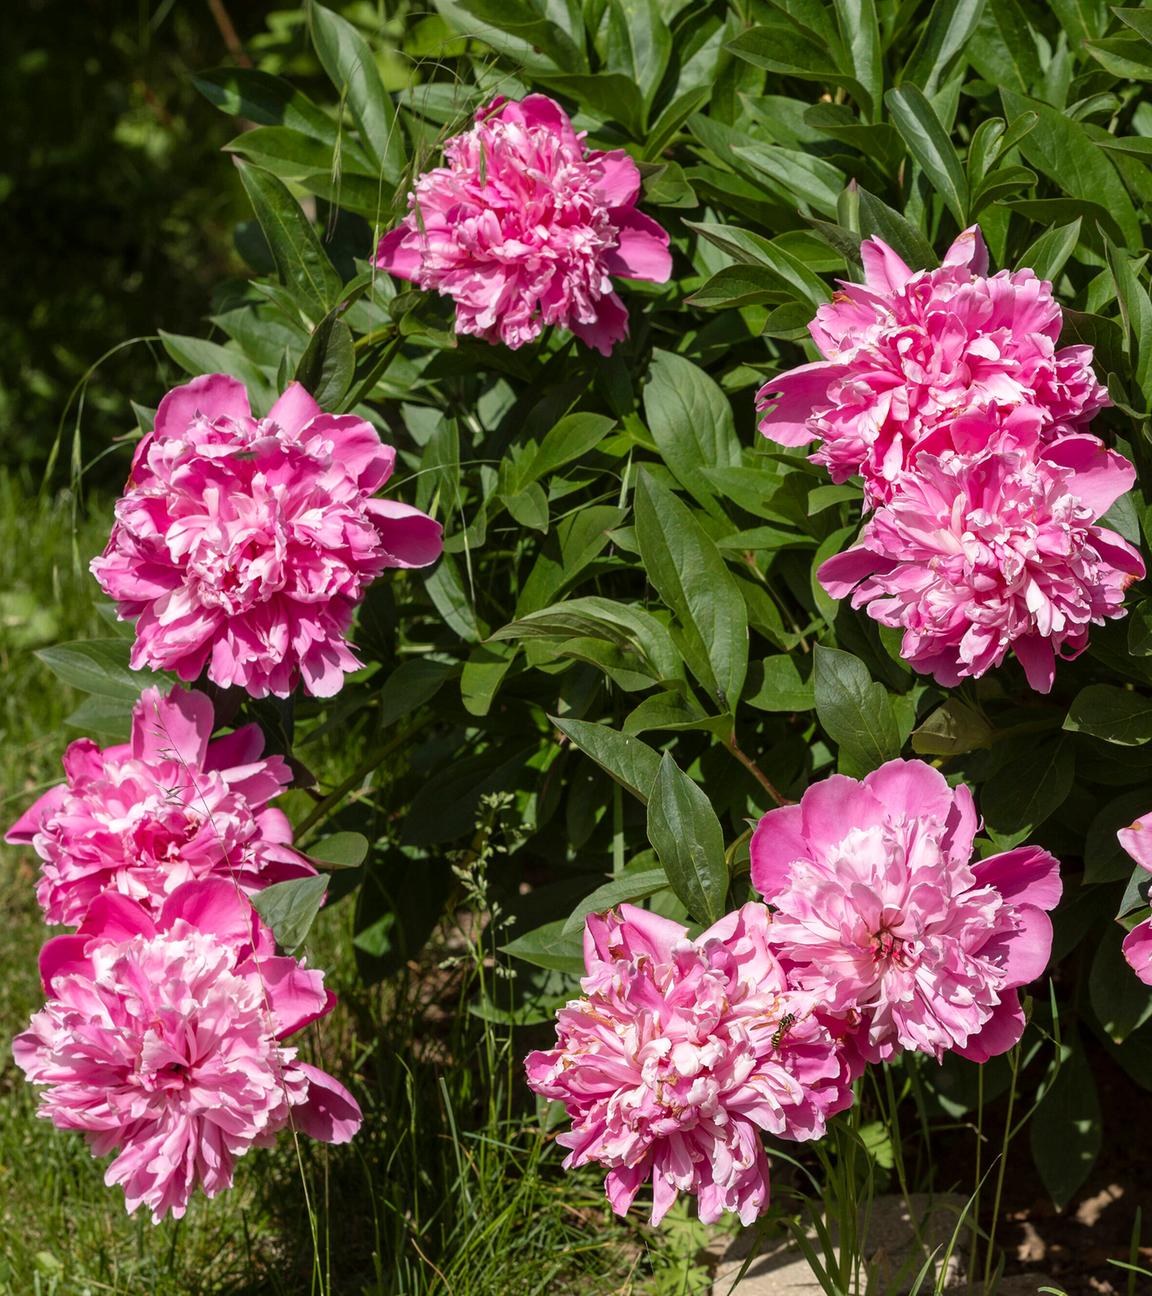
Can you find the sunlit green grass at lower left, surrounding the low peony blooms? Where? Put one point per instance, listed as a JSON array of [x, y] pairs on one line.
[[453, 1186]]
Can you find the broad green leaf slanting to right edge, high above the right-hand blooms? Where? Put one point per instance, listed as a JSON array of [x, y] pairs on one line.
[[1063, 151]]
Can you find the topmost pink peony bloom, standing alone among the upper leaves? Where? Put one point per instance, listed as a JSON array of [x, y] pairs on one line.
[[524, 227]]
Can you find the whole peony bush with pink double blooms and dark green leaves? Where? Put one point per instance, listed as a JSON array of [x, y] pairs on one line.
[[777, 562]]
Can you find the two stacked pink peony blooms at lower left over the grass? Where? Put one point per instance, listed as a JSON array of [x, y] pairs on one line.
[[168, 1010]]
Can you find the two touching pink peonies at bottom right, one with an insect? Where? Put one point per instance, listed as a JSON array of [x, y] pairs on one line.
[[879, 935]]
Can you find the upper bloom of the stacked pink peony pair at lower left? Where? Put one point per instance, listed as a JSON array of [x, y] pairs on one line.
[[168, 808]]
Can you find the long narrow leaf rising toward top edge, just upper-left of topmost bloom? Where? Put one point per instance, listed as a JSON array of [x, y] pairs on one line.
[[352, 69]]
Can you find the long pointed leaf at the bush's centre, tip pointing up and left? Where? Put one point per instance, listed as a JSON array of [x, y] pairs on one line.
[[693, 579]]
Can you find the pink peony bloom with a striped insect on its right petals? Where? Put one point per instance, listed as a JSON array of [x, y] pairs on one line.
[[681, 1054]]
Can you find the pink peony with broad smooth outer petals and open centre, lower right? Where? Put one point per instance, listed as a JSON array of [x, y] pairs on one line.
[[882, 913]]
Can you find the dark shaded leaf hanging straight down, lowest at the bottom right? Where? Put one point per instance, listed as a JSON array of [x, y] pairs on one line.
[[1066, 1129]]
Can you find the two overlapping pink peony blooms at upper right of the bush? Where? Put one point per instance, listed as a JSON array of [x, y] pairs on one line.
[[945, 391]]
